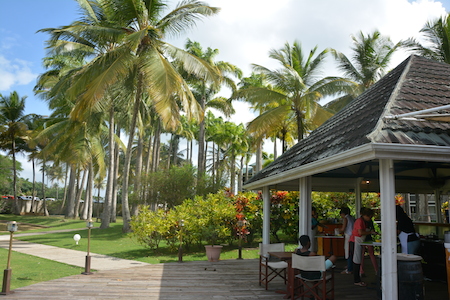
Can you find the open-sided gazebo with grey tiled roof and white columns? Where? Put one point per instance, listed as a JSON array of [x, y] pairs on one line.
[[364, 146]]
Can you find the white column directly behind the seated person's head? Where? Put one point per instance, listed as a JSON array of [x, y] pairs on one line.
[[304, 212]]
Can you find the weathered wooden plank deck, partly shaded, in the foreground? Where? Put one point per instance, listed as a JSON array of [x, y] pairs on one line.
[[228, 279]]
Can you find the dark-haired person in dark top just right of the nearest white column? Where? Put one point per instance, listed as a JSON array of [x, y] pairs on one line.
[[409, 238]]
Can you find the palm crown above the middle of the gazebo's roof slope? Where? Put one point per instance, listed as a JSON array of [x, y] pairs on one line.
[[294, 89]]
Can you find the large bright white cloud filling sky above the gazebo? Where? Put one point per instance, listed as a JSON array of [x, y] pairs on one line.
[[245, 31]]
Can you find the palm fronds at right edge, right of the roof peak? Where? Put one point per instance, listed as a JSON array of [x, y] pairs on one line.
[[436, 43]]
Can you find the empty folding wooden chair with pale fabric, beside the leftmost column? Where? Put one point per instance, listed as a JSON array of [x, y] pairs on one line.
[[269, 267]]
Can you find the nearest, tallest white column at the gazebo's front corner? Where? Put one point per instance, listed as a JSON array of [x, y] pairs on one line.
[[389, 289]]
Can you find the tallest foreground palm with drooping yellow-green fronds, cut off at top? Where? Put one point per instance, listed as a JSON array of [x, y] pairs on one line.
[[129, 36]]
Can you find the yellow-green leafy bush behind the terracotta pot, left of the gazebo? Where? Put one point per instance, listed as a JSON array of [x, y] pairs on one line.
[[209, 219]]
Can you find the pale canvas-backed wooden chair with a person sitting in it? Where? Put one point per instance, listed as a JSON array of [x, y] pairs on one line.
[[313, 279]]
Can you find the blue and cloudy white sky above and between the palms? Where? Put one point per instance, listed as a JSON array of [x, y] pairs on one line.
[[244, 32]]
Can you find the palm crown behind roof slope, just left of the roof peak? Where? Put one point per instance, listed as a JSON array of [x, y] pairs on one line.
[[371, 55]]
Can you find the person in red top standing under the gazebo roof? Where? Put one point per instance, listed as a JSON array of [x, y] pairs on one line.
[[358, 235]]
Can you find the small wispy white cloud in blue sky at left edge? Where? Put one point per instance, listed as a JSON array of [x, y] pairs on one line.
[[15, 72]]
